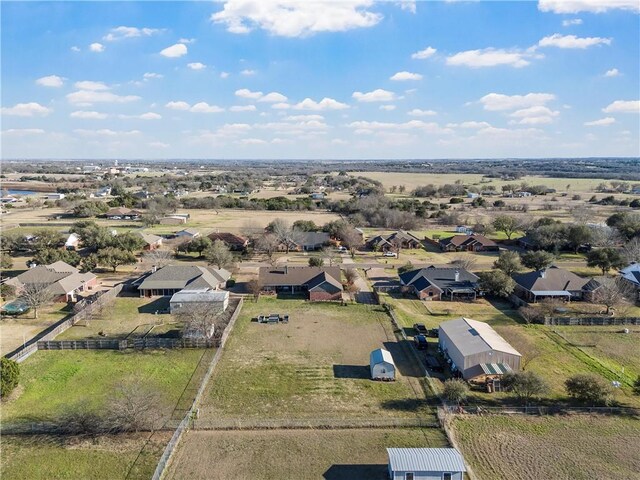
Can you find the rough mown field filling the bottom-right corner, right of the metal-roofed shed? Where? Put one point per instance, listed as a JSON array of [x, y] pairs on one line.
[[533, 448]]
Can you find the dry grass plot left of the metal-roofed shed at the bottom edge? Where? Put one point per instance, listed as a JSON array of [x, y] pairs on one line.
[[299, 454]]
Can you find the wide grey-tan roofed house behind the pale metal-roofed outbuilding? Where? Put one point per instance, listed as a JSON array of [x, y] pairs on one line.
[[169, 280]]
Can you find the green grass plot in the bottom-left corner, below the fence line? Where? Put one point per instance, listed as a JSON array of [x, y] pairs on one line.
[[107, 457]]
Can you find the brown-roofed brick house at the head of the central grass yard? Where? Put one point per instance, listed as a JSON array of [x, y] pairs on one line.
[[319, 283]]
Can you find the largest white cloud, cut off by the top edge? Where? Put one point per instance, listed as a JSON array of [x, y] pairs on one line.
[[293, 18]]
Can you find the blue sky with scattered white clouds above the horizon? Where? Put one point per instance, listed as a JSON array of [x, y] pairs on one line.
[[320, 79]]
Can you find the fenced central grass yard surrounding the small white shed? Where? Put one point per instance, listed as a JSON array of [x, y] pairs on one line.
[[315, 367]]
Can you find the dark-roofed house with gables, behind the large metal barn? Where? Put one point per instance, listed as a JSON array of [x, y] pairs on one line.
[[434, 283]]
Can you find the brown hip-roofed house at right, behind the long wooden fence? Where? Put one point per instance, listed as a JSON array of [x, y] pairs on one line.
[[554, 282]]
